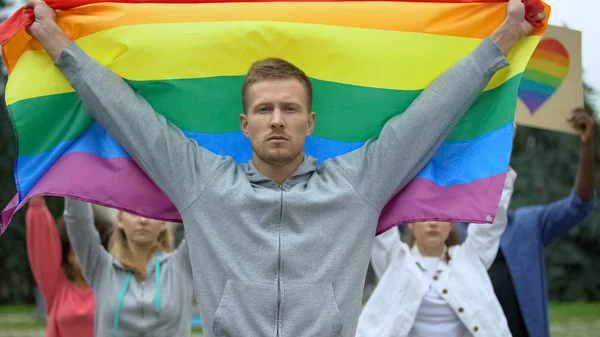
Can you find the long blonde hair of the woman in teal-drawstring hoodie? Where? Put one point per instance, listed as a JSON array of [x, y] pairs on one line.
[[120, 250]]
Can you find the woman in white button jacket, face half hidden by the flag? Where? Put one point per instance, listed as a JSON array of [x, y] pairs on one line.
[[430, 289]]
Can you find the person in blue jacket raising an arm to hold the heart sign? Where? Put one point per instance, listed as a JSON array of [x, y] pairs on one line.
[[518, 272]]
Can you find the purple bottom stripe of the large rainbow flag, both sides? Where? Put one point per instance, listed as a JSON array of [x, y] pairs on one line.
[[91, 178]]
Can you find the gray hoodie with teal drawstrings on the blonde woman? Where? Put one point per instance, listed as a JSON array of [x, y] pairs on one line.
[[159, 306]]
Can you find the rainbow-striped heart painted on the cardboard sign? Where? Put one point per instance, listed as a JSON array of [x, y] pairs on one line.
[[544, 73]]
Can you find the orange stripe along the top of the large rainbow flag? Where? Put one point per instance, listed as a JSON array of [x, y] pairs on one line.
[[89, 19]]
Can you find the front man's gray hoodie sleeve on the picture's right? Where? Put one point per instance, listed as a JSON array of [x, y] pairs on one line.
[[382, 167]]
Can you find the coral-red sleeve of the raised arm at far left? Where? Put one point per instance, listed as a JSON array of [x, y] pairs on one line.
[[44, 250]]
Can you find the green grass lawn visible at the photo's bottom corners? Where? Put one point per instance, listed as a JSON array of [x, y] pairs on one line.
[[566, 320]]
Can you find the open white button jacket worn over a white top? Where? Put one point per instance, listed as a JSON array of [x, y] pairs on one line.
[[463, 282]]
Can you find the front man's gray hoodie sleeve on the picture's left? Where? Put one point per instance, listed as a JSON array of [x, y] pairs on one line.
[[176, 164]]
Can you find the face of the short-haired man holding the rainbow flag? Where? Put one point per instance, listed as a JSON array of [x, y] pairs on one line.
[[277, 120]]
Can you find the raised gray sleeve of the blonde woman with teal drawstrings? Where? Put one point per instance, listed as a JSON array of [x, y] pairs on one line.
[[93, 258]]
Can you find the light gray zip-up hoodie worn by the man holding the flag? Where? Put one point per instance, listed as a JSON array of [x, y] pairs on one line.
[[290, 259]]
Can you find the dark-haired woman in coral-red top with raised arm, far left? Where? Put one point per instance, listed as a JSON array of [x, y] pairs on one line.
[[70, 302]]
